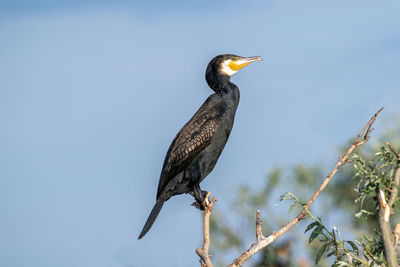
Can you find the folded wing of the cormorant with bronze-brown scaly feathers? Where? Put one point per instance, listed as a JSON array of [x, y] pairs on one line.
[[190, 142]]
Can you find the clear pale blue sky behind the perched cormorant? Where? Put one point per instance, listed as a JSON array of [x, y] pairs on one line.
[[92, 93]]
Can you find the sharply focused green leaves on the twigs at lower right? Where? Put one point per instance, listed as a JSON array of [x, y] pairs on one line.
[[371, 175]]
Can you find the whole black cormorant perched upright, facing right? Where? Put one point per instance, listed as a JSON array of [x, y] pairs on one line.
[[198, 145]]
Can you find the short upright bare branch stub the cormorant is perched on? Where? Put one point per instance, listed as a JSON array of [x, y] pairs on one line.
[[203, 252]]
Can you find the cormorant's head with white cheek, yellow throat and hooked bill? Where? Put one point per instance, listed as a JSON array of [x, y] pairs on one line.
[[222, 67]]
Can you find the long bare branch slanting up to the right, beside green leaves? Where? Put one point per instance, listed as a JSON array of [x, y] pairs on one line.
[[361, 139]]
